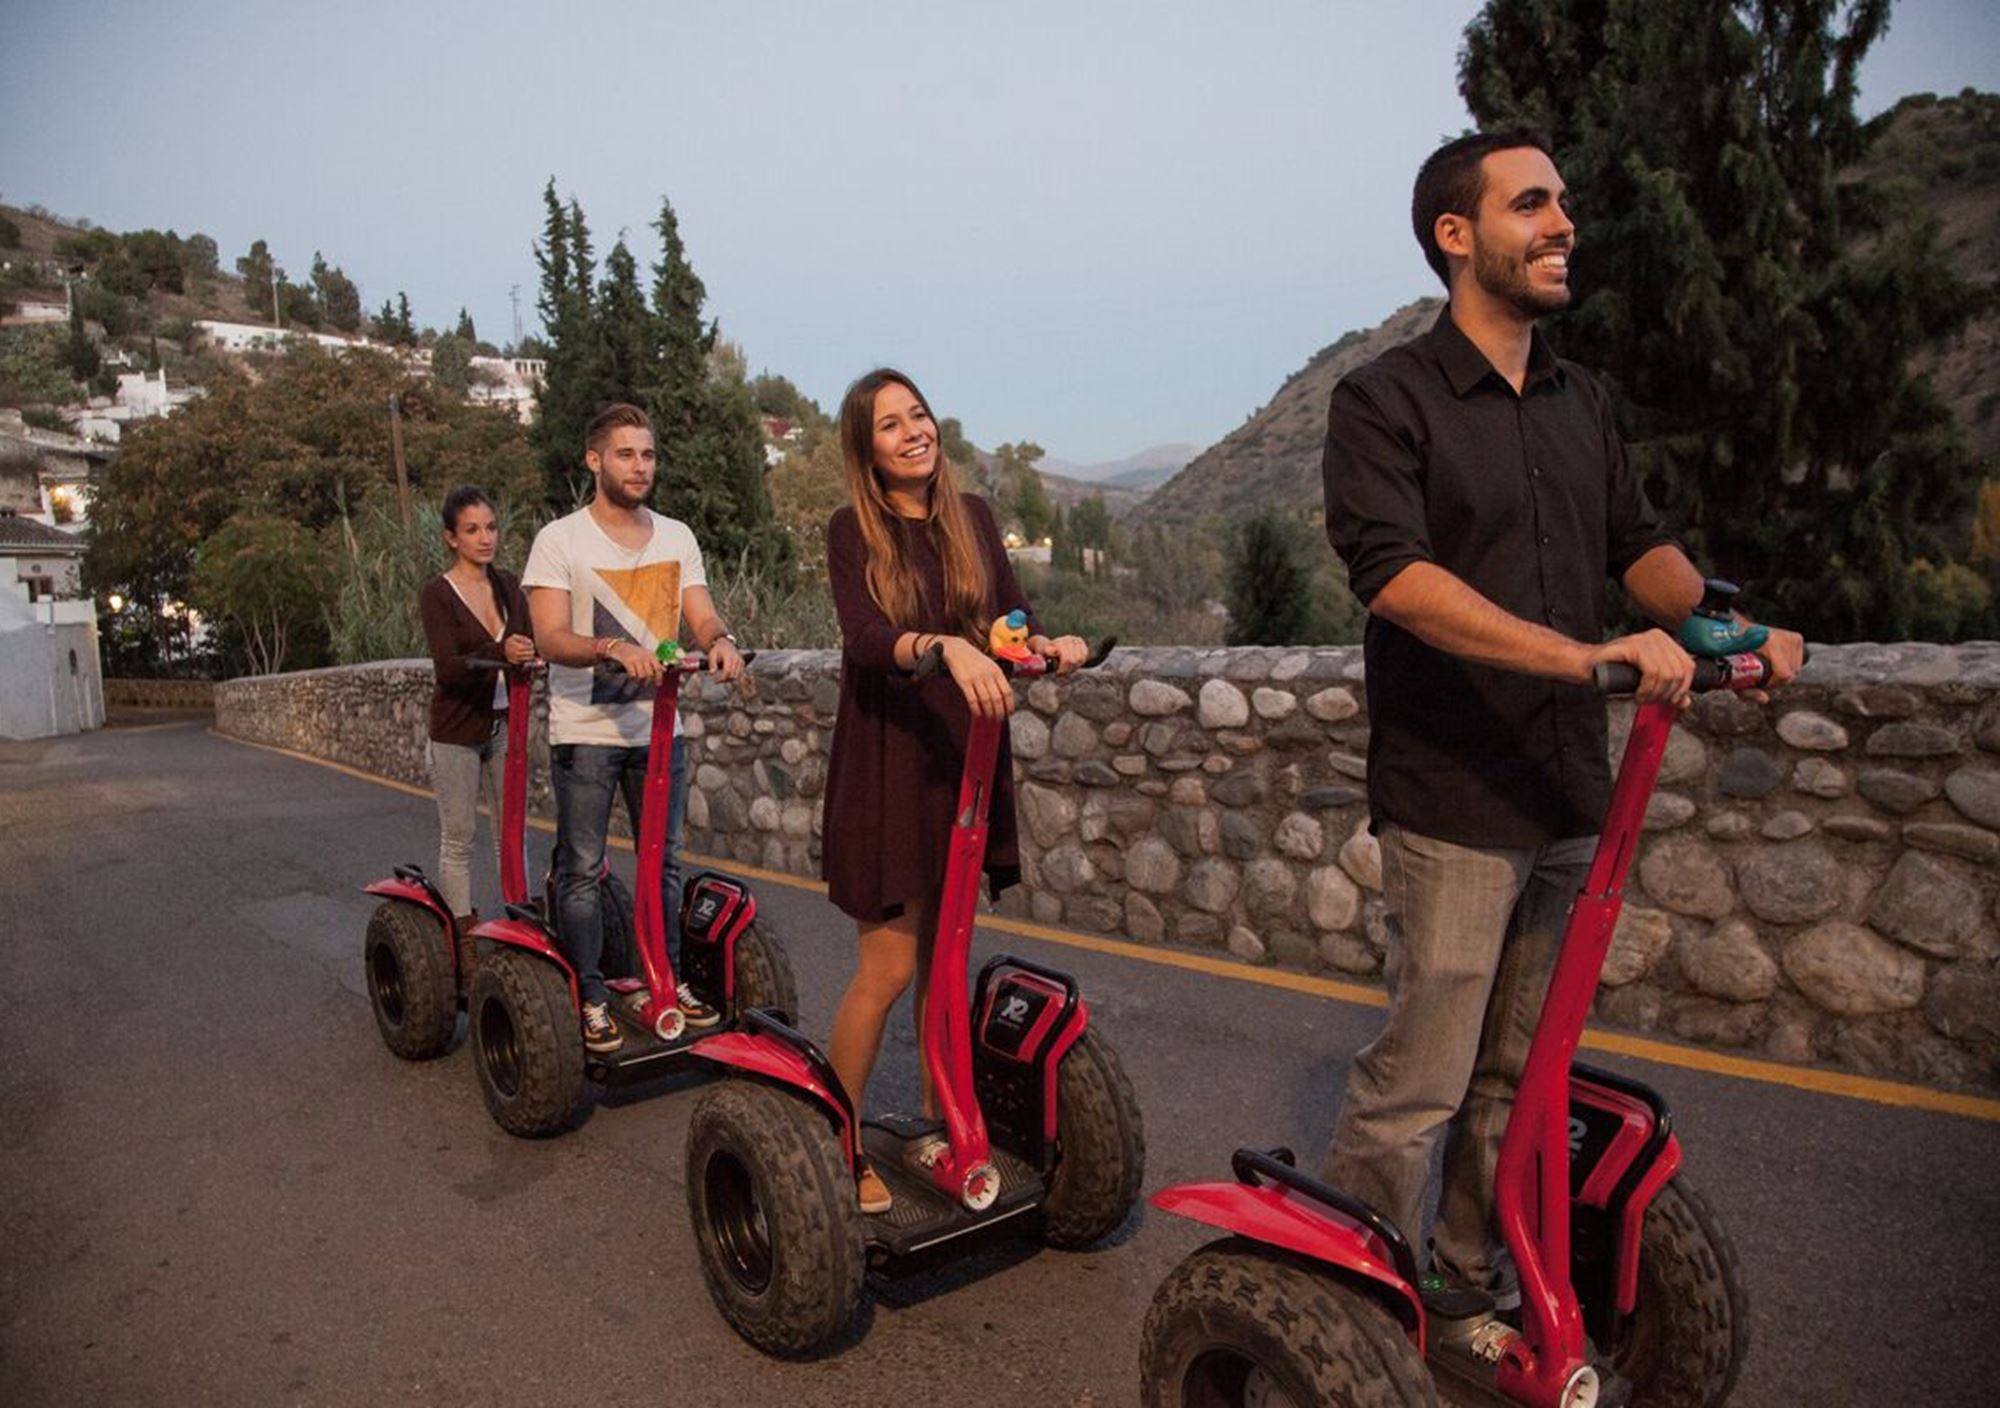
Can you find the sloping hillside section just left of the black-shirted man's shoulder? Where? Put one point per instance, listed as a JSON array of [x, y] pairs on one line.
[[1275, 457]]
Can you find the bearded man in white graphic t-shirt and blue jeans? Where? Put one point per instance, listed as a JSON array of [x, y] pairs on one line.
[[607, 585]]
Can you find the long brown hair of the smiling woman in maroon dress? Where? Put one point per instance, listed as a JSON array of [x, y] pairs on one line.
[[891, 579]]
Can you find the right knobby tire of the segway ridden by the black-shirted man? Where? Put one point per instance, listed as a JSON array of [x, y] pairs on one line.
[[1691, 1329]]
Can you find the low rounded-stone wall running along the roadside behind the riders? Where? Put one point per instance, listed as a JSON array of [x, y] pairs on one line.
[[1819, 877]]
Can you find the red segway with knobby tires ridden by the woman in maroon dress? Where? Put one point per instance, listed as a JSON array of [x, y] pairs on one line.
[[1037, 1109]]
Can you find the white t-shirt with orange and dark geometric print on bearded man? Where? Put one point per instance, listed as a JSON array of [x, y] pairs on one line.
[[621, 593]]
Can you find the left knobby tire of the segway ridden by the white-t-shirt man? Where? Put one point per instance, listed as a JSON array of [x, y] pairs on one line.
[[527, 1043]]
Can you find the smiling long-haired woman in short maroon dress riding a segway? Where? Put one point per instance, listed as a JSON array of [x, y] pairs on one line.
[[913, 563]]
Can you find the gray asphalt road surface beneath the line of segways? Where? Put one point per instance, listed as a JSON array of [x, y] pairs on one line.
[[217, 1187]]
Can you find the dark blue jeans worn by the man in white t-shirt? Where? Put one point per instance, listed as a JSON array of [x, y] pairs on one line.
[[585, 779]]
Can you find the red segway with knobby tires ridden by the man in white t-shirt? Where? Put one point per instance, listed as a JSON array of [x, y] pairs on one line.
[[525, 1009]]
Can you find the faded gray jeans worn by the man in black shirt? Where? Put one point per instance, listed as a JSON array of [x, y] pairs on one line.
[[1473, 939]]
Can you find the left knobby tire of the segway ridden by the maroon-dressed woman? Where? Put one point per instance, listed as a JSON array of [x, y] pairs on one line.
[[777, 1223]]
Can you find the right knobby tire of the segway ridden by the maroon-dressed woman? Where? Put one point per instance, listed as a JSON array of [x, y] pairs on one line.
[[1103, 1147]]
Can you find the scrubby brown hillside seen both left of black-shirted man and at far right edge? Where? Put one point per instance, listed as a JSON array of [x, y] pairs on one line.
[[1939, 153]]
